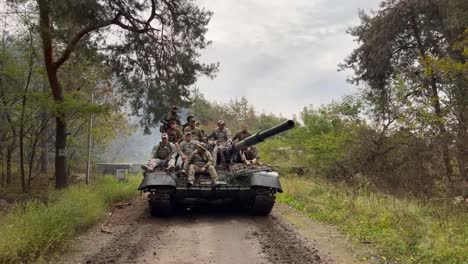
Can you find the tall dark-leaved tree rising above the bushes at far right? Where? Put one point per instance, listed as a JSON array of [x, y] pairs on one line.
[[397, 45]]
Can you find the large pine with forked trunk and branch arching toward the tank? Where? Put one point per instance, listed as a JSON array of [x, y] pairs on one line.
[[155, 56]]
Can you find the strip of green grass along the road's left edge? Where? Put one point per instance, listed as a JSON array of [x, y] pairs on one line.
[[30, 231]]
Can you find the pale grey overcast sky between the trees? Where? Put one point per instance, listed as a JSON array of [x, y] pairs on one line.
[[282, 55]]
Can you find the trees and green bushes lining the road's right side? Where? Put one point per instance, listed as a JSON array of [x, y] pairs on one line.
[[406, 129]]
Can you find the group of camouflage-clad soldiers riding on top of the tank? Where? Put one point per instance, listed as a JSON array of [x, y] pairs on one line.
[[185, 147]]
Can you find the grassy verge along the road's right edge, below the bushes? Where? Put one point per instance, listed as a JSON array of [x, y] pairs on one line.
[[402, 230]]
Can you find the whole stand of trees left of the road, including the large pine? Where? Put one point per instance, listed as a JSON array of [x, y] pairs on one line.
[[143, 54]]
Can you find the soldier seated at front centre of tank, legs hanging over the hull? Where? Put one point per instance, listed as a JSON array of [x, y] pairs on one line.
[[200, 161]]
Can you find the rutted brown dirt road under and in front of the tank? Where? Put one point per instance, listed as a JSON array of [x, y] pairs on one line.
[[207, 236]]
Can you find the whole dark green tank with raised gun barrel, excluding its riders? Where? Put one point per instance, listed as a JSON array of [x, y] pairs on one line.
[[252, 187]]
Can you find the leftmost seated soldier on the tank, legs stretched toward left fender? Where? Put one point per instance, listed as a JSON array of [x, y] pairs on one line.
[[161, 155]]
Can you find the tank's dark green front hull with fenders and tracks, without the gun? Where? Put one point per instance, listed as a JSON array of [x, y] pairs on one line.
[[255, 191]]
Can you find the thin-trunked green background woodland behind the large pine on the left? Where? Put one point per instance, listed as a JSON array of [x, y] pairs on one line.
[[27, 109]]
